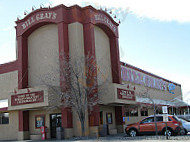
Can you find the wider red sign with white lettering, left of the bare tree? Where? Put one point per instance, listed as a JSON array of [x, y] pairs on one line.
[[27, 98]]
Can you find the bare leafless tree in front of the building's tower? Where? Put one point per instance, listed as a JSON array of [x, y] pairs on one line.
[[80, 88]]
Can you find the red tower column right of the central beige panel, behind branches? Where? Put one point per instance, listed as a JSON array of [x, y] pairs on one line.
[[89, 49]]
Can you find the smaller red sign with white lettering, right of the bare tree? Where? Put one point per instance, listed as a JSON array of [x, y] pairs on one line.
[[125, 94]]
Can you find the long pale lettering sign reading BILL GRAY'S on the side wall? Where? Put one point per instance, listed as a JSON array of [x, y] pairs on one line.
[[137, 77]]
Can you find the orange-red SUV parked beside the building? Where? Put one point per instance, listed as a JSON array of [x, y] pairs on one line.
[[147, 126]]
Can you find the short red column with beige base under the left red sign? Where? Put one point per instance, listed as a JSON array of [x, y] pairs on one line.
[[23, 125]]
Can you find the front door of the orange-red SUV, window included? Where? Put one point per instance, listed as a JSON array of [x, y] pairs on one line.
[[147, 125]]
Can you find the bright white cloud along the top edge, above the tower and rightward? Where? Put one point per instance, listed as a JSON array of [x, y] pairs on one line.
[[163, 10]]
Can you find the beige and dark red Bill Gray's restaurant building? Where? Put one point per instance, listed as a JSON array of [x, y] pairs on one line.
[[43, 36]]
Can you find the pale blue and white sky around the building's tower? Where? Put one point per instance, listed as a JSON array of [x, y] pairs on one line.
[[153, 35]]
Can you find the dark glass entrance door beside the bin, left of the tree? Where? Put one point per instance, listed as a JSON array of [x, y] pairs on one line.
[[55, 121]]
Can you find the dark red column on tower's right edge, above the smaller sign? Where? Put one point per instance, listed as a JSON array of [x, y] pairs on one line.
[[115, 60]]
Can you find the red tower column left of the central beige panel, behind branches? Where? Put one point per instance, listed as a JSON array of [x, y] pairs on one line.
[[67, 121]]
